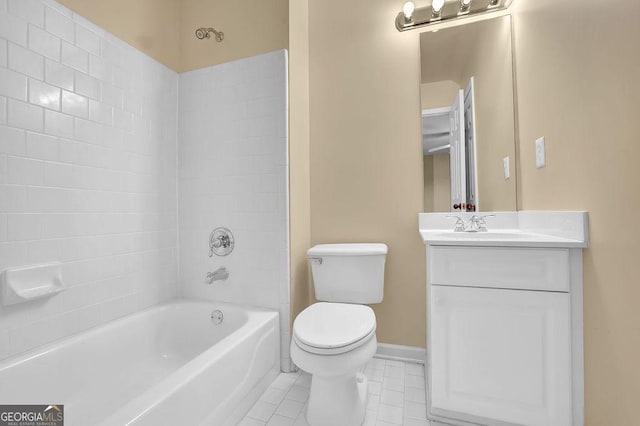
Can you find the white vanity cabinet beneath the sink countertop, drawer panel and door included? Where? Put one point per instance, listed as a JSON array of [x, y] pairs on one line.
[[504, 330]]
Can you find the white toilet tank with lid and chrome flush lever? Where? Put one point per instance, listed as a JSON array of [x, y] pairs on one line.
[[348, 273]]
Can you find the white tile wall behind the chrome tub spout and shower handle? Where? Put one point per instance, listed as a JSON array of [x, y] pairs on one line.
[[233, 172]]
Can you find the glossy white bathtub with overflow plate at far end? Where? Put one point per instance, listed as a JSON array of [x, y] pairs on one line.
[[167, 365]]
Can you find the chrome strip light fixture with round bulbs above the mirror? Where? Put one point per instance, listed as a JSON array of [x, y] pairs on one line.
[[444, 10]]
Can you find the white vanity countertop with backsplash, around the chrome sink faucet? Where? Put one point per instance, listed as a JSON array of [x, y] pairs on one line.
[[509, 229]]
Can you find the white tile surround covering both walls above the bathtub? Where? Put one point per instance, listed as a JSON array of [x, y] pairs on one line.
[[89, 175]]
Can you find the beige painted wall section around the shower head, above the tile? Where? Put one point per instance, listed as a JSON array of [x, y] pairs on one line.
[[250, 27]]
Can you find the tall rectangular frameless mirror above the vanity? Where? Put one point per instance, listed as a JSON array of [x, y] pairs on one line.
[[467, 97]]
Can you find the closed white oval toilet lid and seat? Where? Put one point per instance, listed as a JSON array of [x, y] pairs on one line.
[[334, 325]]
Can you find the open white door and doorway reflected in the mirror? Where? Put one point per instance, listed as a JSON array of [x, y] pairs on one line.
[[449, 133]]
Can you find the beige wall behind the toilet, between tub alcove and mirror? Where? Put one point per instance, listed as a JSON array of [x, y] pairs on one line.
[[366, 155]]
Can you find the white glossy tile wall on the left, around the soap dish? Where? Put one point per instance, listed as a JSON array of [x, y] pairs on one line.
[[88, 173]]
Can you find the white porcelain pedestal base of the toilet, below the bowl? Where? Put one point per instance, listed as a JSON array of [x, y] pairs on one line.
[[345, 395]]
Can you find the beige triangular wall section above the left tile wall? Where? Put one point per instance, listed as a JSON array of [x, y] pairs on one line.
[[151, 26]]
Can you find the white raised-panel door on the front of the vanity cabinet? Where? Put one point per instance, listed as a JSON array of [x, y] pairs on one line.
[[500, 354]]
